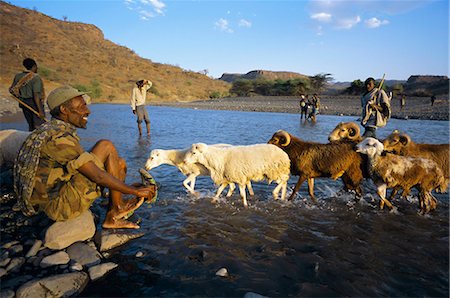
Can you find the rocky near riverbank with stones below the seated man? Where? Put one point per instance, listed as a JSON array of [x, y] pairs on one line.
[[40, 258]]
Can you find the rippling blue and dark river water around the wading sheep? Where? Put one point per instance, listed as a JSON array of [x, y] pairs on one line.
[[338, 247]]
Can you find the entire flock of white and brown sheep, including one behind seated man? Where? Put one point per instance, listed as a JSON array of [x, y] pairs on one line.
[[397, 162]]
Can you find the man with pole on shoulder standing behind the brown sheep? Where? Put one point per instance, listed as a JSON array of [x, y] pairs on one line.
[[376, 107]]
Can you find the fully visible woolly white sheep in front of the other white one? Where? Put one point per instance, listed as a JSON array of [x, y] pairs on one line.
[[242, 164]]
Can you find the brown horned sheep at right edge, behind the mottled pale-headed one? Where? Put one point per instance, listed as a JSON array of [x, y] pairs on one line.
[[401, 144]]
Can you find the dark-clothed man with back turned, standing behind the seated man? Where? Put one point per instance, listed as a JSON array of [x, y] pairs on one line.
[[29, 88]]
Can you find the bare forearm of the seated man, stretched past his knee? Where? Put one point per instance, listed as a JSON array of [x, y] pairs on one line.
[[103, 178]]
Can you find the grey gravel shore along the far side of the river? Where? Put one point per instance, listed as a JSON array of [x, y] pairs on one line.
[[416, 107]]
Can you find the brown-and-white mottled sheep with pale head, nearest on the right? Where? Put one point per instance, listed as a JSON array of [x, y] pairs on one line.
[[392, 170]]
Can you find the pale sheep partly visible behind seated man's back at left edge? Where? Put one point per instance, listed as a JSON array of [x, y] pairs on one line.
[[10, 142]]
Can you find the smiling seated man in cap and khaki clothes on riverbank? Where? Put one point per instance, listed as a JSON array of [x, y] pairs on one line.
[[54, 174]]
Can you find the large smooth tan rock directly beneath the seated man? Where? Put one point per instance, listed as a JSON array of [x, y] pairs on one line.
[[62, 234]]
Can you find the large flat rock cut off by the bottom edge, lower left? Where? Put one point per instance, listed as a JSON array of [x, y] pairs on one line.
[[64, 285]]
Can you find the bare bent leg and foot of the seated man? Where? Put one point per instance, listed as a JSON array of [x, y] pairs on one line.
[[116, 166]]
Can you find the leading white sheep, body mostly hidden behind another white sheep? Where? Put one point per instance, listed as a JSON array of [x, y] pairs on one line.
[[176, 158]]
